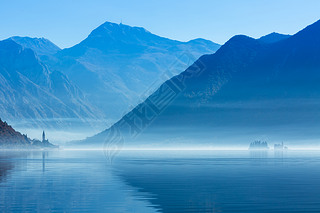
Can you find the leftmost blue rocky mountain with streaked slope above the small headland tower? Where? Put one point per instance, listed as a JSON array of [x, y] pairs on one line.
[[31, 95]]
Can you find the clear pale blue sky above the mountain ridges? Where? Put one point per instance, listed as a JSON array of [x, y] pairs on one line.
[[67, 22]]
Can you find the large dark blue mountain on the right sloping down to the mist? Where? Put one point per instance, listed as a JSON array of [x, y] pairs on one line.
[[249, 89]]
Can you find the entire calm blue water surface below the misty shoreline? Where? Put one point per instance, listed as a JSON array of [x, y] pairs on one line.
[[166, 181]]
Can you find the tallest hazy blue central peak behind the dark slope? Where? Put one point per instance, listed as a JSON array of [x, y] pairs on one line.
[[117, 65]]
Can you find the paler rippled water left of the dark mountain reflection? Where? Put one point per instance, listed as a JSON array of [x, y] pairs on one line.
[[57, 181]]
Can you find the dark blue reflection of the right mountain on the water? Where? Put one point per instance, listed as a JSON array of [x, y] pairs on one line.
[[256, 183]]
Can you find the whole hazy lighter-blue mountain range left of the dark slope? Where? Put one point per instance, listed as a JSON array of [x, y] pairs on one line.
[[98, 79]]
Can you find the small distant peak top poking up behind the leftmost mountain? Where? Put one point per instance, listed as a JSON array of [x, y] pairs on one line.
[[40, 46]]
